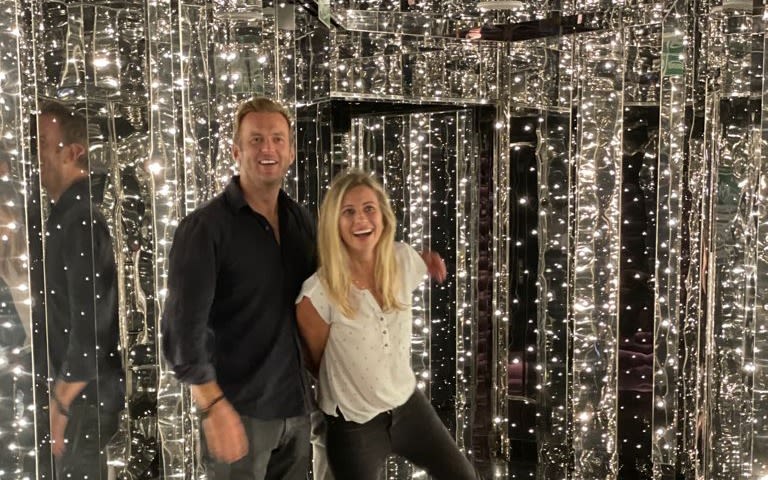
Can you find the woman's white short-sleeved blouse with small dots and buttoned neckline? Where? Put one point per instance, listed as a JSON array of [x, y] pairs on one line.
[[366, 366]]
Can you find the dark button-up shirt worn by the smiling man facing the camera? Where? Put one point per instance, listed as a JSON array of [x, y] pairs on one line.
[[230, 315]]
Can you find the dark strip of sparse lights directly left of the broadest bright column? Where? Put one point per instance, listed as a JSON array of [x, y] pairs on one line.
[[554, 170]]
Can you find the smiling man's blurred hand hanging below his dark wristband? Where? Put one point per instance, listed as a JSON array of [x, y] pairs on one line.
[[224, 433]]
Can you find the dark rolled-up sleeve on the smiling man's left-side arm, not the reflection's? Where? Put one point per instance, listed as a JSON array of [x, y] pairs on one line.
[[192, 271]]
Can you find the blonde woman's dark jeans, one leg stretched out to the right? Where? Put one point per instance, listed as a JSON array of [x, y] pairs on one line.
[[414, 431]]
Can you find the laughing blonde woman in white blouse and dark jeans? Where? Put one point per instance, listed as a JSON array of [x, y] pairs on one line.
[[354, 315]]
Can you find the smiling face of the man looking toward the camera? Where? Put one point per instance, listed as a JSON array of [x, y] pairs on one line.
[[264, 151]]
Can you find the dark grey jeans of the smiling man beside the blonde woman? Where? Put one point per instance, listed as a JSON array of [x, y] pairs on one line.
[[277, 450]]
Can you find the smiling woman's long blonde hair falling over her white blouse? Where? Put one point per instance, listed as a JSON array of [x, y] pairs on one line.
[[334, 260]]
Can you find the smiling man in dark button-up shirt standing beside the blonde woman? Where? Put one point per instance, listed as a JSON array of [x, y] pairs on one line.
[[229, 327]]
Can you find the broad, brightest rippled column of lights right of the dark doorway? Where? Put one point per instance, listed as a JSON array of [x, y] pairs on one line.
[[597, 245]]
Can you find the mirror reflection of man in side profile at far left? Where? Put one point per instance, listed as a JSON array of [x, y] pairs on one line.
[[87, 392]]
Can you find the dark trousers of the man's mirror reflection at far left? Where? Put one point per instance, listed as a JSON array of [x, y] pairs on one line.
[[88, 432]]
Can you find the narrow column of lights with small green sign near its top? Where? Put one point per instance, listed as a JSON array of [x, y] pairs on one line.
[[667, 314]]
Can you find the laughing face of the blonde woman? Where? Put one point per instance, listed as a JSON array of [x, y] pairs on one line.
[[360, 221]]
